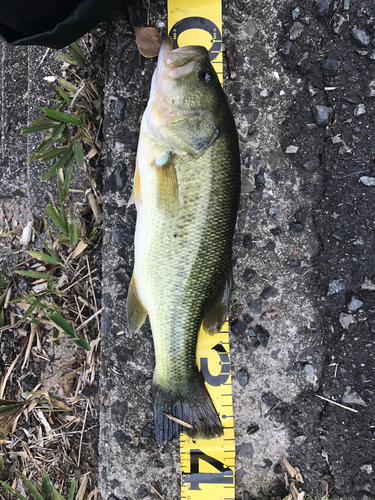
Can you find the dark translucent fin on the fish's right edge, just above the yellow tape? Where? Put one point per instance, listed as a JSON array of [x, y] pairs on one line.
[[218, 309]]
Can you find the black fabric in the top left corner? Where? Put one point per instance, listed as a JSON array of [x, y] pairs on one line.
[[51, 23]]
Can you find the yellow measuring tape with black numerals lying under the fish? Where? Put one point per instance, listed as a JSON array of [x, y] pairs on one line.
[[207, 465]]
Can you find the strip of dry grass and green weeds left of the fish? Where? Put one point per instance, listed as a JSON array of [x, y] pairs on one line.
[[50, 310]]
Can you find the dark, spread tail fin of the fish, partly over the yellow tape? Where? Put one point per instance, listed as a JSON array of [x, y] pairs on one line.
[[192, 404]]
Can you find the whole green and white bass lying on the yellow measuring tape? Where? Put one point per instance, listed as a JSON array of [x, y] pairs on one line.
[[186, 191]]
